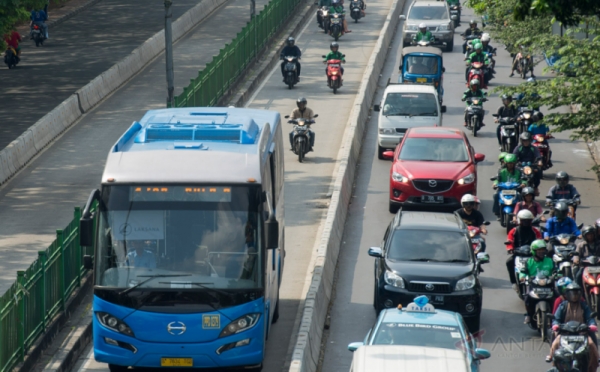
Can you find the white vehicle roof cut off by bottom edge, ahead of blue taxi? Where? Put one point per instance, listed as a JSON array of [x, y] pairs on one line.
[[391, 358]]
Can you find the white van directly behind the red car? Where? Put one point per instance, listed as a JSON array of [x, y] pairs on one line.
[[405, 106]]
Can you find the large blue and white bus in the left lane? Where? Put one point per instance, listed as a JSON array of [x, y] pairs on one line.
[[188, 239]]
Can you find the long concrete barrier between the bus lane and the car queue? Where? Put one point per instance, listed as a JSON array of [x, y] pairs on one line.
[[307, 349]]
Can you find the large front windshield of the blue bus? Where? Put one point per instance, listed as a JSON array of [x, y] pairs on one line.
[[179, 236]]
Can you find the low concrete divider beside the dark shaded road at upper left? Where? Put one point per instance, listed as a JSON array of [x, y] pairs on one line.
[[25, 147]]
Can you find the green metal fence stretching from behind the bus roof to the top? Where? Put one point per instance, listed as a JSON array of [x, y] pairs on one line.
[[224, 70]]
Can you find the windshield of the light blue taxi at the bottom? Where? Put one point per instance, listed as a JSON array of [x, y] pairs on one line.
[[424, 335]]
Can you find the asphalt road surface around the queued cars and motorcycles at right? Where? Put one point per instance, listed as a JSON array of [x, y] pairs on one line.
[[514, 346]]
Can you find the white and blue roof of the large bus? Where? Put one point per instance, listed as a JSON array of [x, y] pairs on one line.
[[193, 145]]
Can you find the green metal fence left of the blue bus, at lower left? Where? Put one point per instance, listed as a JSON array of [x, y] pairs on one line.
[[40, 293]]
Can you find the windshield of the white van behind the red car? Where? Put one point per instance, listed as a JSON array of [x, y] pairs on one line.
[[410, 104]]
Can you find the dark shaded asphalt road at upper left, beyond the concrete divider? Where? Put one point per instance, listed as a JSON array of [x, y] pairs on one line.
[[78, 50]]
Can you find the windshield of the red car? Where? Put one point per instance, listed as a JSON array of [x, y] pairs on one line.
[[434, 149]]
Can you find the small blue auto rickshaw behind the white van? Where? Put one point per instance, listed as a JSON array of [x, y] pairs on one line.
[[423, 65]]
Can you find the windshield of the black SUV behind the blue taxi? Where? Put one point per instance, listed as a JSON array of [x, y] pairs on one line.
[[429, 245]]
